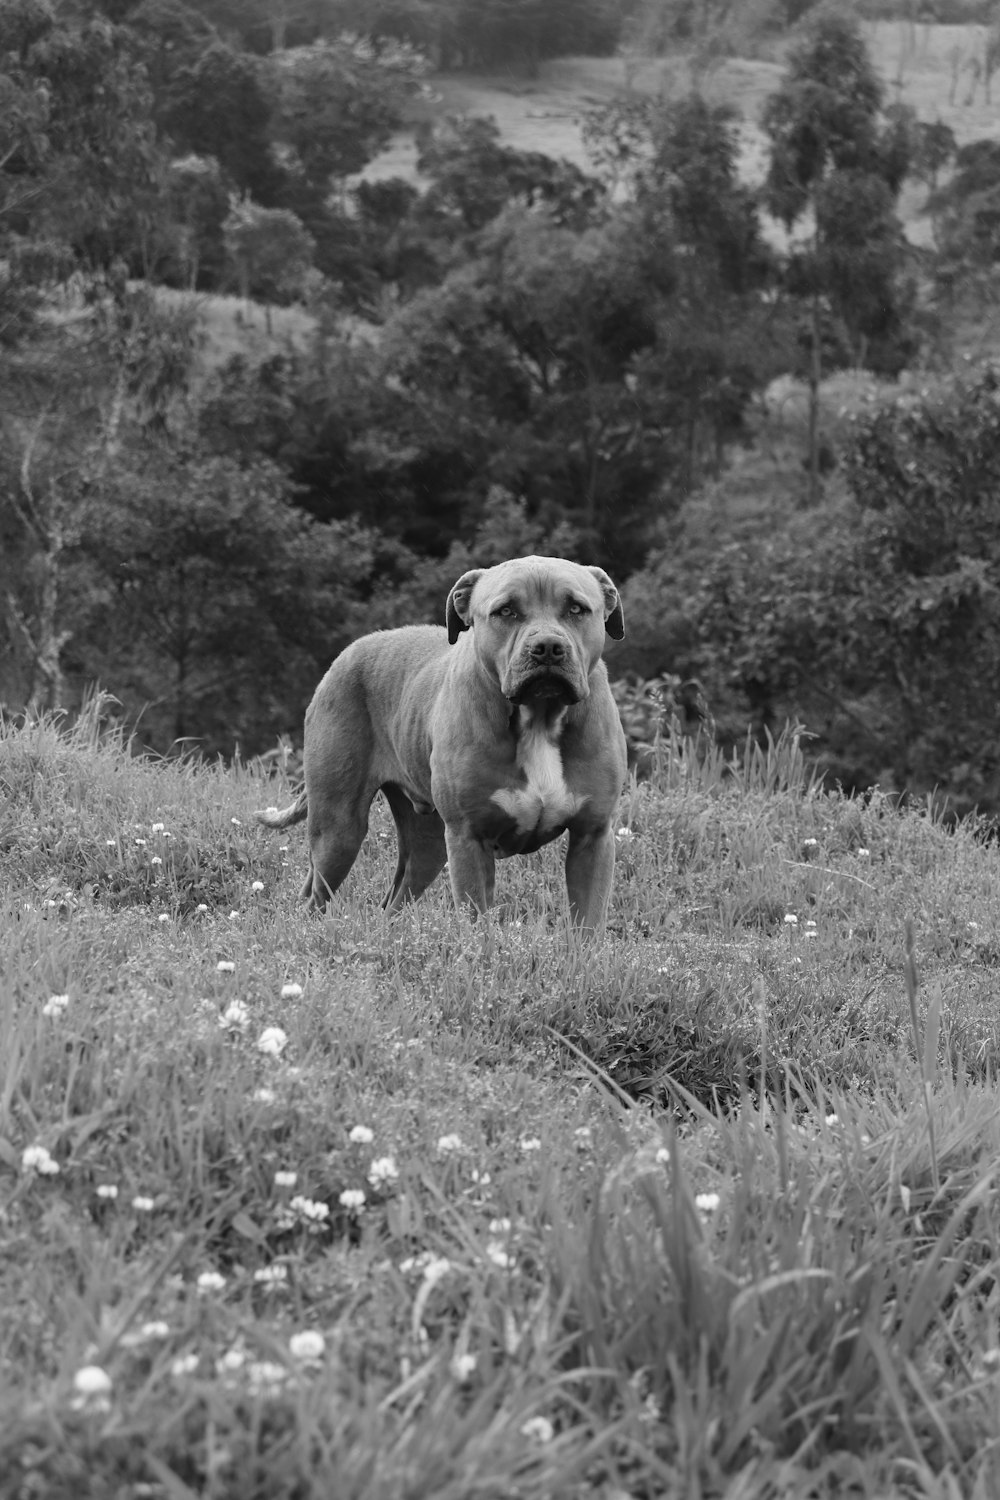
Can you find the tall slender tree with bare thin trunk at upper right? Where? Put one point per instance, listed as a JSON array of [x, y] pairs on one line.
[[836, 164]]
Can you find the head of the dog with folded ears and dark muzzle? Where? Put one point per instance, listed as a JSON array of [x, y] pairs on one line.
[[539, 625]]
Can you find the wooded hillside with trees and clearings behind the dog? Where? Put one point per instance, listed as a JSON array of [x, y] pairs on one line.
[[292, 332]]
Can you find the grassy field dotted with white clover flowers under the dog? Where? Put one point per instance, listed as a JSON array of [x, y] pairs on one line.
[[367, 1208]]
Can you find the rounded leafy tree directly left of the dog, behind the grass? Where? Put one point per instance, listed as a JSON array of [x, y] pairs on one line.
[[221, 598]]
